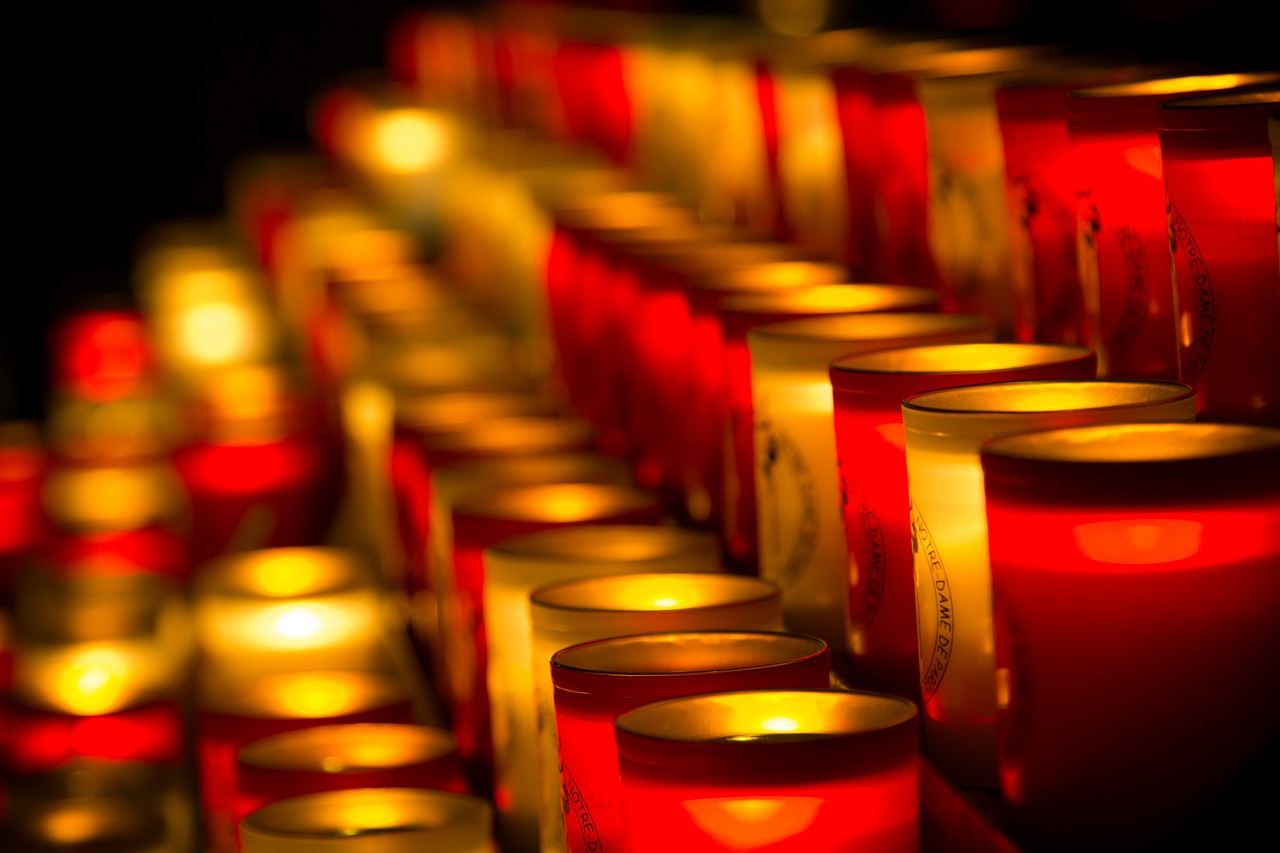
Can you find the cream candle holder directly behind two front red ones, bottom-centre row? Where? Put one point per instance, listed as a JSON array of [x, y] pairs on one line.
[[580, 612]]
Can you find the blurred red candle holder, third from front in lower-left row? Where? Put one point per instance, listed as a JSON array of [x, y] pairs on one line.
[[235, 714]]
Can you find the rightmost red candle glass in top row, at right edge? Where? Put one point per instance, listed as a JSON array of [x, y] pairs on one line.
[[1220, 190]]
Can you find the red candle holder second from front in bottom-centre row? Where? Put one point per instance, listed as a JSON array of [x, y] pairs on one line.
[[597, 682]]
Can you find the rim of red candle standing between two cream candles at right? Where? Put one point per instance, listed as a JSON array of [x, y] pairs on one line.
[[889, 362]]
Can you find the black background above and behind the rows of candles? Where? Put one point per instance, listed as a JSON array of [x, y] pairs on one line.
[[130, 115]]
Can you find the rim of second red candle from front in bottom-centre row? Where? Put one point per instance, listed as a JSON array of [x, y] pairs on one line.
[[796, 649]]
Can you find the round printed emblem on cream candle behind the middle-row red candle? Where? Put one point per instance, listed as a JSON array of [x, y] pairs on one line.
[[790, 505]]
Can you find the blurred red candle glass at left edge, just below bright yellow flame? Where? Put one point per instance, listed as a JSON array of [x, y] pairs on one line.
[[40, 741]]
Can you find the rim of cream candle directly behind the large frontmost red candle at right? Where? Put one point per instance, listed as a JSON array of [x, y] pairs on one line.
[[950, 402]]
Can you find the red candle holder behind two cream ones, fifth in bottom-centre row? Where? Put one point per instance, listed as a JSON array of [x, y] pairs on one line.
[[479, 522]]
